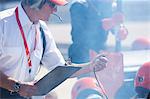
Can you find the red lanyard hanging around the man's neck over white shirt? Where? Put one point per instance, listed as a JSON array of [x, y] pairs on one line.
[[24, 40]]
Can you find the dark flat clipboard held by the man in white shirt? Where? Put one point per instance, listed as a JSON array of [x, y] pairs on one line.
[[54, 78]]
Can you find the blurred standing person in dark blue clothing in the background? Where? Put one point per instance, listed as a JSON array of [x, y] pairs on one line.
[[91, 21]]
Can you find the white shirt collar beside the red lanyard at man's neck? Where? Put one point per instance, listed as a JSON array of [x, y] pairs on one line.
[[24, 19]]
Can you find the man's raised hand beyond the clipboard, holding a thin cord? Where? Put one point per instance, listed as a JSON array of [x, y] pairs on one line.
[[99, 62]]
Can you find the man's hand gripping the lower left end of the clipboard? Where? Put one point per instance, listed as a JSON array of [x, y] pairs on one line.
[[27, 89]]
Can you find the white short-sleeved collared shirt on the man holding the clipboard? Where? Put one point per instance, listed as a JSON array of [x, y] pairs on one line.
[[13, 59]]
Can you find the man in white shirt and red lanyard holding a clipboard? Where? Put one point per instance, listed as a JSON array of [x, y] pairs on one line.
[[23, 47]]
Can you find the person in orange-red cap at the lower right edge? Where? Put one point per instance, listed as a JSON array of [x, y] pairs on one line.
[[142, 82]]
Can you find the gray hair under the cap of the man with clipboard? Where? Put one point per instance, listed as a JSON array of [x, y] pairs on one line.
[[37, 4]]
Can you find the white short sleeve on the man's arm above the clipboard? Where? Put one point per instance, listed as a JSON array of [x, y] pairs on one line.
[[52, 56]]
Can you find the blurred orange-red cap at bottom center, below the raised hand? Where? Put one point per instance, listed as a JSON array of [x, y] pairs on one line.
[[84, 87]]
